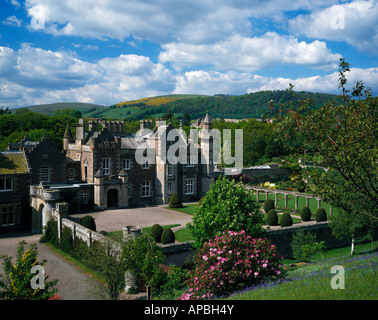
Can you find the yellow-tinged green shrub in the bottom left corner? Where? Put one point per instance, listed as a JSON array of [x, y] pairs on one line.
[[16, 284]]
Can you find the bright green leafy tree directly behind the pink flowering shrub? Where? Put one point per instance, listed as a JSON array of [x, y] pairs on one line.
[[226, 206]]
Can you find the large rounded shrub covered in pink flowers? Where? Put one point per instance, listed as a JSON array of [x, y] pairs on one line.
[[231, 262]]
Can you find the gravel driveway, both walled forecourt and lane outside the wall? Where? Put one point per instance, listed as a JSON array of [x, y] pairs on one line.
[[75, 284]]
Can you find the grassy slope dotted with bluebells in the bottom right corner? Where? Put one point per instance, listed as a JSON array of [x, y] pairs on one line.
[[313, 281]]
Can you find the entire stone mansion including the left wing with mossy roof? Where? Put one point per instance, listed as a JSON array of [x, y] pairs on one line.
[[98, 169]]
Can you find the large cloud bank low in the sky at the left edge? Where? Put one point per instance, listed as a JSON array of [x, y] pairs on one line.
[[34, 76]]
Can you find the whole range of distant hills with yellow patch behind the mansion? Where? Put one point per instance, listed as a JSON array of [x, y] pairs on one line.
[[252, 105]]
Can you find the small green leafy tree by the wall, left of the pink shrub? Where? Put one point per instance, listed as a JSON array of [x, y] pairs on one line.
[[142, 256]]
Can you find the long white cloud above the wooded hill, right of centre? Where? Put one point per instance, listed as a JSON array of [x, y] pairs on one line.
[[250, 54]]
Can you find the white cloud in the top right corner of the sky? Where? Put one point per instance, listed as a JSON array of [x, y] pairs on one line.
[[355, 23]]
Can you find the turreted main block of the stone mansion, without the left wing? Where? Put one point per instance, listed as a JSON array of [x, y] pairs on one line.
[[107, 158]]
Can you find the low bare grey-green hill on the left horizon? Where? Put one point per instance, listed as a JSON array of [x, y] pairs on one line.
[[49, 109]]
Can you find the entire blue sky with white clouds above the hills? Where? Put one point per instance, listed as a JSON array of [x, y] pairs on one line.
[[110, 51]]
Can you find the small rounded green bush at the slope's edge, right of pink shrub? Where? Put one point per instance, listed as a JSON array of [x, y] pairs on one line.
[[304, 245]]
